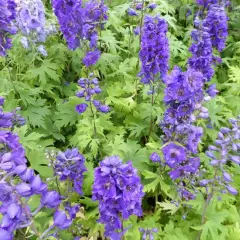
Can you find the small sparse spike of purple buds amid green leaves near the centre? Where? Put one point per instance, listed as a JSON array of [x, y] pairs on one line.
[[90, 87]]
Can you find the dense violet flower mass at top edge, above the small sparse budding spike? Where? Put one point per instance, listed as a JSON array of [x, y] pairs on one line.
[[79, 22]]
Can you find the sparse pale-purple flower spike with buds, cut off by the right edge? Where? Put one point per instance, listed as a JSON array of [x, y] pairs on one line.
[[224, 153]]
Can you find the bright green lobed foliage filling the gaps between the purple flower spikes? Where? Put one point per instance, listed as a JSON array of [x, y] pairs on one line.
[[45, 89]]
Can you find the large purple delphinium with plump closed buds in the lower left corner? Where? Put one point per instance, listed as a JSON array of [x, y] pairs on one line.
[[19, 184]]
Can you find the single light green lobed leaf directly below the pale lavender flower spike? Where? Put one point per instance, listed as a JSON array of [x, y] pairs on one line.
[[47, 70]]
